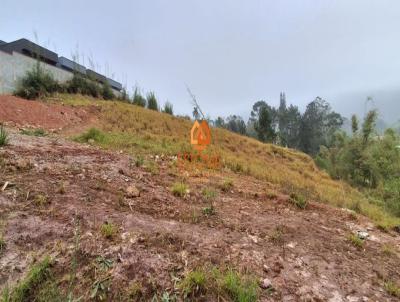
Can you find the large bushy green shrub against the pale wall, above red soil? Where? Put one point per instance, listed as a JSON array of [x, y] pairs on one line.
[[37, 83]]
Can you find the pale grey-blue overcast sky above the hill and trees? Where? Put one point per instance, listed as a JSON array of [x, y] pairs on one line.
[[230, 53]]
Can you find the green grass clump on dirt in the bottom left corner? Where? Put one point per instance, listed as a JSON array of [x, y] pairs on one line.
[[37, 275]]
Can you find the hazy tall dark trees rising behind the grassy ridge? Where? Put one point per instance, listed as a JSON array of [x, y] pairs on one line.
[[287, 126]]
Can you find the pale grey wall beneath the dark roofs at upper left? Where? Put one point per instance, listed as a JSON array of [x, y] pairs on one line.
[[14, 66]]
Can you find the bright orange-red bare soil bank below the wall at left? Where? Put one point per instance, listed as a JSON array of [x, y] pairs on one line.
[[21, 112]]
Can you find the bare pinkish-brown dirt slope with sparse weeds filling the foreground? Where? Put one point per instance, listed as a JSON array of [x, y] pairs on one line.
[[58, 187]]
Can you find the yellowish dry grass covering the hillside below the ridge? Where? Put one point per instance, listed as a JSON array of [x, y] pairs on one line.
[[140, 131]]
